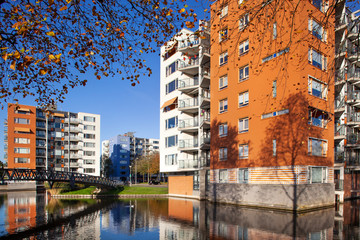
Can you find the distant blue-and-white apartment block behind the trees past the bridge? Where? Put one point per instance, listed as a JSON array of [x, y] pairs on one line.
[[124, 149]]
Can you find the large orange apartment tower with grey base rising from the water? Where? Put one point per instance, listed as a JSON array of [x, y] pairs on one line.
[[272, 128]]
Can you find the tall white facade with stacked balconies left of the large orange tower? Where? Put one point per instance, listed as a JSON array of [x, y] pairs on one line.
[[185, 111]]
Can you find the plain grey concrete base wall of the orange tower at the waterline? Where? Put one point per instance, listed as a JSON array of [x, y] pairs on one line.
[[273, 196]]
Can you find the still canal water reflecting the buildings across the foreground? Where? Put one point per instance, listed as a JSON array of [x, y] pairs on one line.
[[32, 215]]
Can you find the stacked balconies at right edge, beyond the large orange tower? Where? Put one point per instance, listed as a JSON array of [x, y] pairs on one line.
[[347, 99]]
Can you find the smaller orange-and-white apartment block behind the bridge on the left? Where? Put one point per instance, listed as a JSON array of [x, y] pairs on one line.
[[52, 139]]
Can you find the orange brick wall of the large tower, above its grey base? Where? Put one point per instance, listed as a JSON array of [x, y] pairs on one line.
[[279, 73]]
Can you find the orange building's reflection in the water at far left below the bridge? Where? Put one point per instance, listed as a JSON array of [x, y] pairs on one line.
[[21, 210]]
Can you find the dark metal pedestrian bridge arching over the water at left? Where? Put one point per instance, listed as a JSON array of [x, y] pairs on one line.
[[14, 174]]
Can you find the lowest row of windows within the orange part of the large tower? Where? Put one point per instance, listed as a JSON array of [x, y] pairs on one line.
[[316, 147]]
